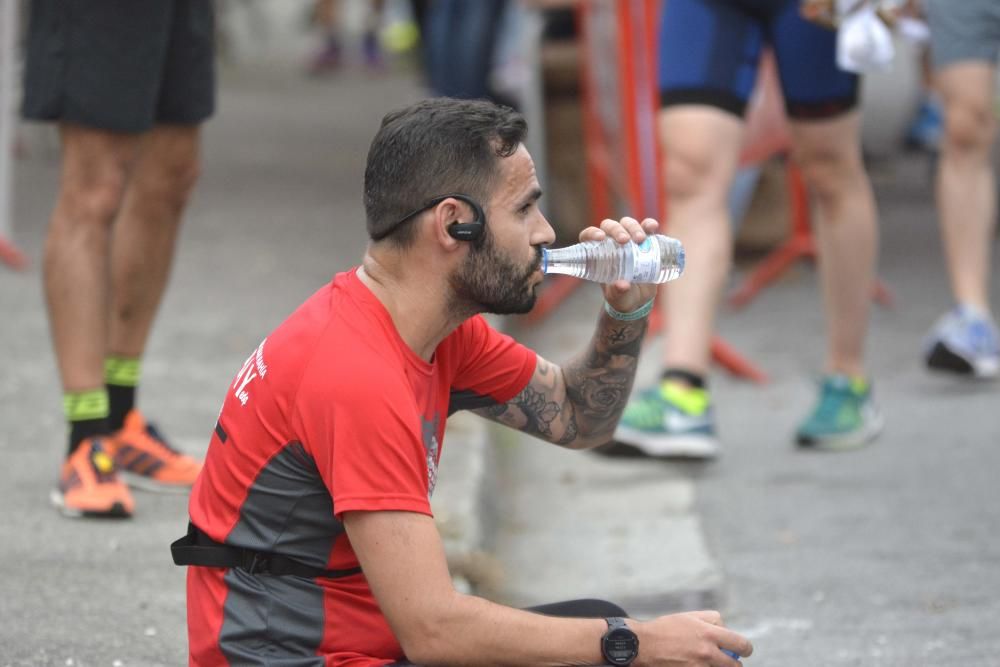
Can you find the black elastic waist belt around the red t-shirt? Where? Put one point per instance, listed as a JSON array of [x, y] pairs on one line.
[[197, 548]]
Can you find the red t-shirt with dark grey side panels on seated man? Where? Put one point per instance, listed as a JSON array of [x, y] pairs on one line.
[[332, 412]]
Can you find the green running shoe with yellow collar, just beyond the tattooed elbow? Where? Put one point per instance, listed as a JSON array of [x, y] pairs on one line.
[[670, 420]]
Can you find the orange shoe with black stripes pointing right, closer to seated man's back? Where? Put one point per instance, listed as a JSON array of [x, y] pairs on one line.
[[146, 461]]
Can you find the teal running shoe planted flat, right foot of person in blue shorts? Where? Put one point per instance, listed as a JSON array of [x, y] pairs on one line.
[[845, 417]]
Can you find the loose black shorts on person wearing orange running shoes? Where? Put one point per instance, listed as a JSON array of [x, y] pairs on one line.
[[120, 65]]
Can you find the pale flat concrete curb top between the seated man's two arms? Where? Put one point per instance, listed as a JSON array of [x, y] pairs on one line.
[[572, 524]]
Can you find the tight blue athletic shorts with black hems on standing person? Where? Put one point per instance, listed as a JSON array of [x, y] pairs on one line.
[[710, 51]]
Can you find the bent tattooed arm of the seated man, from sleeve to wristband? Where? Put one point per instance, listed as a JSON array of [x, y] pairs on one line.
[[578, 405]]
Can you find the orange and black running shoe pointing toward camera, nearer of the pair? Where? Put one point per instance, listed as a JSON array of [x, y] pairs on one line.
[[89, 485]]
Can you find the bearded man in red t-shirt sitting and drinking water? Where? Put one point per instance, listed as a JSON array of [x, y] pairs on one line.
[[311, 538]]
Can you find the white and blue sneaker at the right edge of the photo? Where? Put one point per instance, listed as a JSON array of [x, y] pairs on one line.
[[964, 341]]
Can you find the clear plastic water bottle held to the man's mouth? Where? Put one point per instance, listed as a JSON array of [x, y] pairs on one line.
[[656, 260]]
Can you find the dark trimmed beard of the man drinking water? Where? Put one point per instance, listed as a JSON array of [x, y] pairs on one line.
[[489, 281]]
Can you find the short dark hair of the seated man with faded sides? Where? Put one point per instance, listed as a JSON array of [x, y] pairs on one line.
[[432, 148]]
